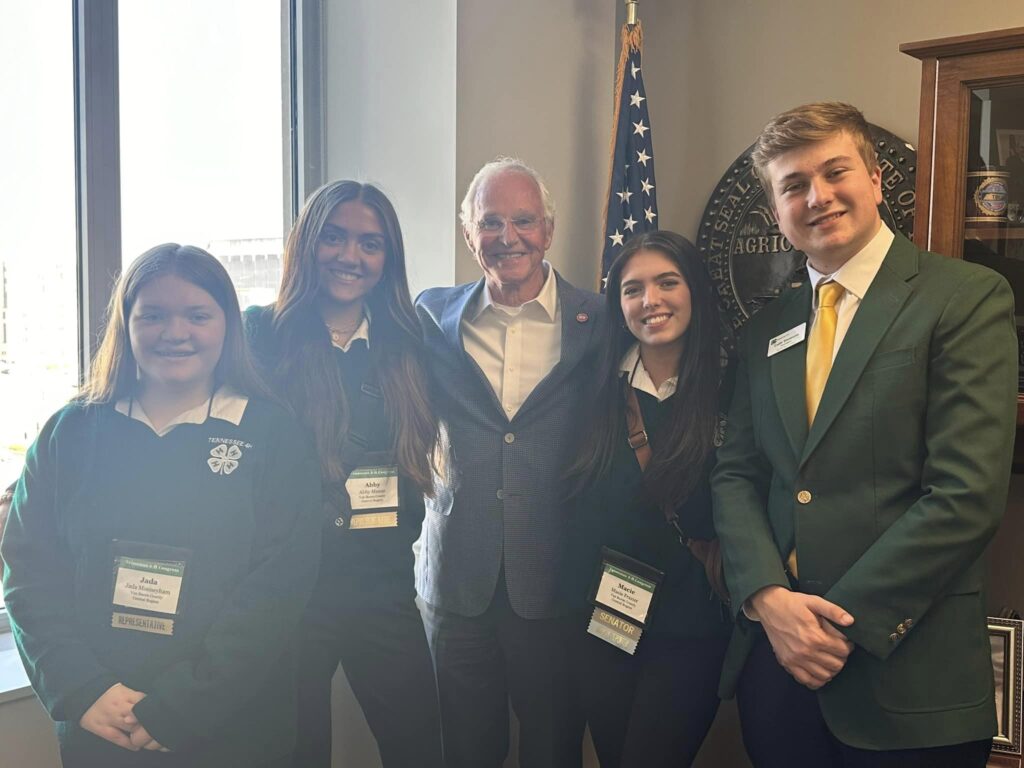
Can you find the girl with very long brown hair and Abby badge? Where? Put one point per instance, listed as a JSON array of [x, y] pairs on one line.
[[343, 347]]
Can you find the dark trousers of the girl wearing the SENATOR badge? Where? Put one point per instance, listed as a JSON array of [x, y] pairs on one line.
[[654, 709]]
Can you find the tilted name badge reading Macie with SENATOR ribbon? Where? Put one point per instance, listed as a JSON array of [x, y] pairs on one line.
[[623, 598]]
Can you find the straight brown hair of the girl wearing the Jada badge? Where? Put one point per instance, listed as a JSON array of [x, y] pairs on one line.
[[113, 373]]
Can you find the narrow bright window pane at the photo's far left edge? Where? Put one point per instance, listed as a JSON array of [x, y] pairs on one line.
[[39, 361]]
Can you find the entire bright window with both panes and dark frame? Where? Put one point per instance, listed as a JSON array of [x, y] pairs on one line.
[[156, 121]]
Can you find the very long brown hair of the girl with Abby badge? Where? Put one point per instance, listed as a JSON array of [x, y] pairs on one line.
[[307, 374]]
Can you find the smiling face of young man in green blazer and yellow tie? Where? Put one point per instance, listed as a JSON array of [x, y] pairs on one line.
[[826, 200]]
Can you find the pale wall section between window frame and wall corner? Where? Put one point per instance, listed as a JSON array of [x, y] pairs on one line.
[[391, 115]]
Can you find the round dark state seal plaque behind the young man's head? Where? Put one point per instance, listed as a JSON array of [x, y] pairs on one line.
[[749, 260]]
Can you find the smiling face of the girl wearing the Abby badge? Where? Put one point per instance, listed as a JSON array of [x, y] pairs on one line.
[[352, 250]]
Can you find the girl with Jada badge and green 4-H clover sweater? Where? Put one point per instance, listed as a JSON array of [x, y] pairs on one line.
[[164, 538]]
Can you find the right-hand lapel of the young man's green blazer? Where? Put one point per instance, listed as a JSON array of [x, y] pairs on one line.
[[886, 296]]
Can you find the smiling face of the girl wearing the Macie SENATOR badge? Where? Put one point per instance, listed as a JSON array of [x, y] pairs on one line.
[[656, 301]]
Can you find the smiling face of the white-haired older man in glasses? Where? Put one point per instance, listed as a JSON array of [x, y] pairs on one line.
[[509, 236]]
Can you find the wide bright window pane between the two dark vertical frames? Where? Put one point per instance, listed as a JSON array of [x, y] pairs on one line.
[[202, 135]]
